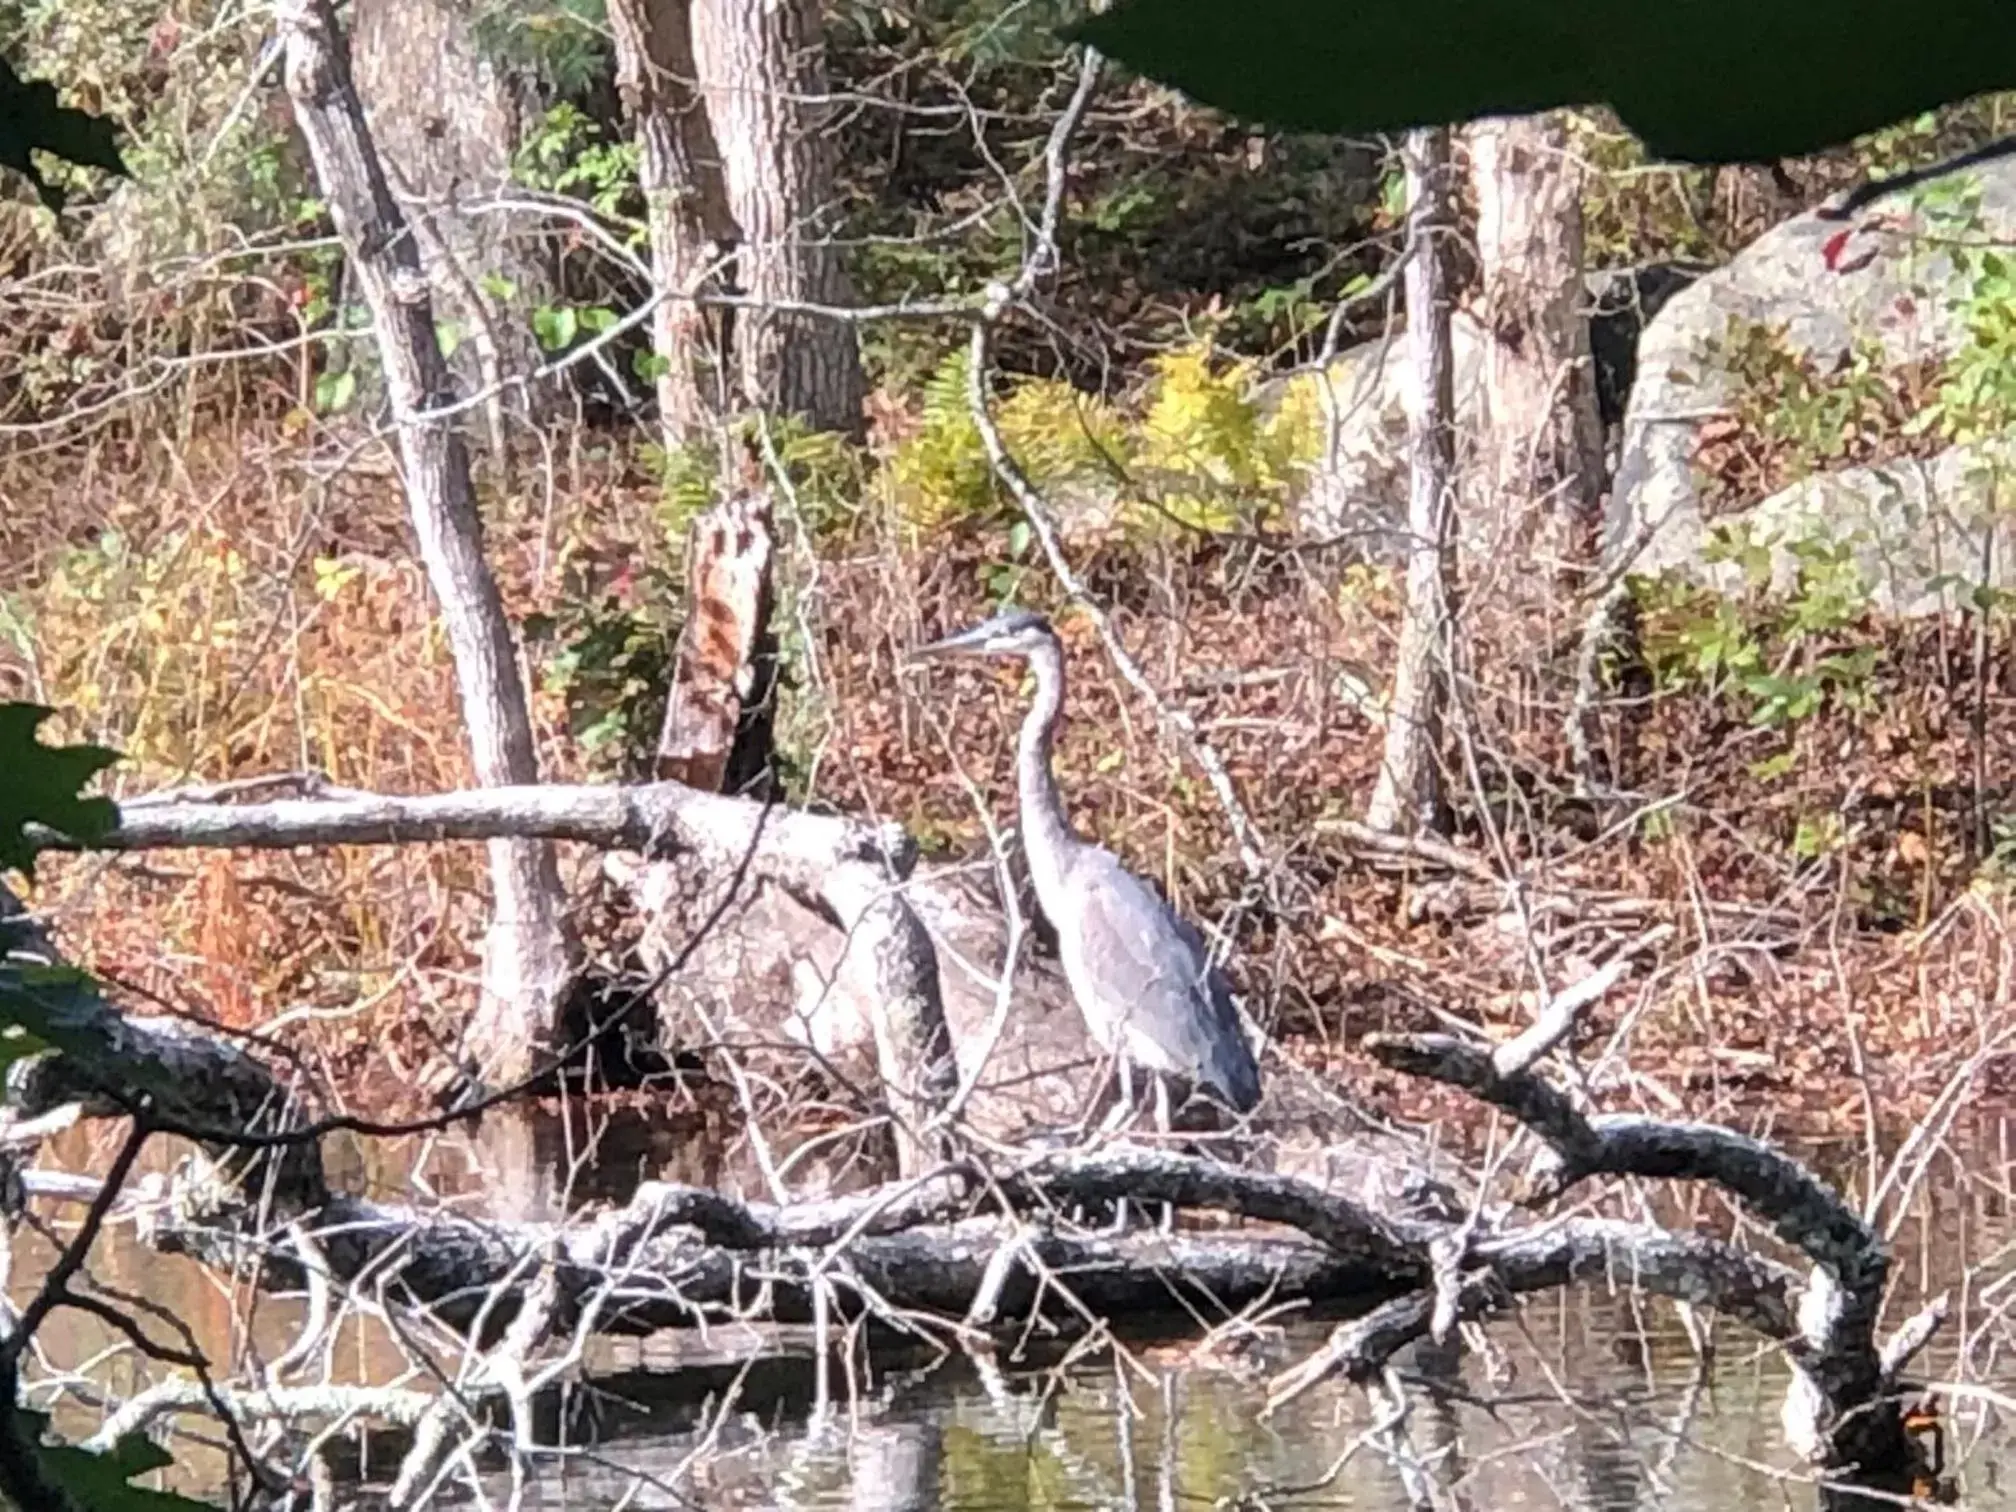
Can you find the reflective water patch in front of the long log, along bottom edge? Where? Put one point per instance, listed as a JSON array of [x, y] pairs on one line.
[[1571, 1426]]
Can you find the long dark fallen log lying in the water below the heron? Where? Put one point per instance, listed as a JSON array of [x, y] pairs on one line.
[[963, 1247]]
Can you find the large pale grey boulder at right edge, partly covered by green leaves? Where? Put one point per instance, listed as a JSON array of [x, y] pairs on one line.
[[1912, 523]]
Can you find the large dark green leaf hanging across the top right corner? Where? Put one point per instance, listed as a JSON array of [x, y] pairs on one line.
[[1709, 82]]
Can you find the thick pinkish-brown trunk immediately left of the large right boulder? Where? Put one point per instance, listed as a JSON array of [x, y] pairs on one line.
[[1541, 457]]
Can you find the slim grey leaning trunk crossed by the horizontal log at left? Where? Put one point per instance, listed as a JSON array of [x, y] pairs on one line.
[[527, 959]]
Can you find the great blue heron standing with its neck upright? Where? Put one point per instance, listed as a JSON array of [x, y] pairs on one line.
[[1142, 977]]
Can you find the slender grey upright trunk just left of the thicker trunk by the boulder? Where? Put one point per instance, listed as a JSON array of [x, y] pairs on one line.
[[1408, 795]]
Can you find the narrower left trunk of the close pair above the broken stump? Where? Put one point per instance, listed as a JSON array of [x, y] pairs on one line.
[[678, 166]]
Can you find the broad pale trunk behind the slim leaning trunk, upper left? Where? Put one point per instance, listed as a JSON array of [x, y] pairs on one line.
[[447, 122]]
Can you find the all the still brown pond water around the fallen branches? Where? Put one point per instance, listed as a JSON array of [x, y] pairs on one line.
[[1582, 1400]]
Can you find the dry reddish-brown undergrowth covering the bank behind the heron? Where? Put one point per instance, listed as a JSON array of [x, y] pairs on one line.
[[1805, 834]]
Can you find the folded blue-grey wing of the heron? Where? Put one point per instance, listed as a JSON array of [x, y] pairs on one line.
[[1150, 969]]
